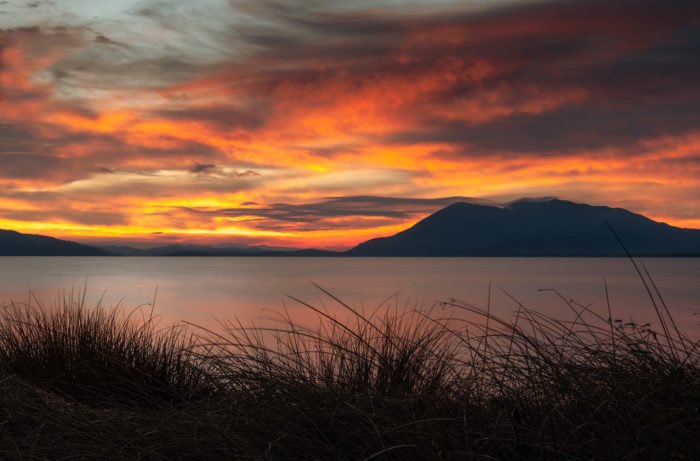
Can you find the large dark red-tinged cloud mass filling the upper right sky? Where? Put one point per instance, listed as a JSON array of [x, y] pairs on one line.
[[631, 67]]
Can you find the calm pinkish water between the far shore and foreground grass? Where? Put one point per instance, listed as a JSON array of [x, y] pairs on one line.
[[203, 289]]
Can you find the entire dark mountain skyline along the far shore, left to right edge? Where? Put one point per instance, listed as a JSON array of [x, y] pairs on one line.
[[525, 227]]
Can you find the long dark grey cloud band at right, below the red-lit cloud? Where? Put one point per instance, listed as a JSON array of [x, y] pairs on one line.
[[563, 131]]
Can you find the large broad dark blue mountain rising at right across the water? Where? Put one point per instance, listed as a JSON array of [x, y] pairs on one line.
[[533, 227]]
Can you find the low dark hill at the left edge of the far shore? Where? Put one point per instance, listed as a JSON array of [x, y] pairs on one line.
[[15, 244]]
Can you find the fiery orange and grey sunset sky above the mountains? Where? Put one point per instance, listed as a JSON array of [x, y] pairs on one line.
[[326, 123]]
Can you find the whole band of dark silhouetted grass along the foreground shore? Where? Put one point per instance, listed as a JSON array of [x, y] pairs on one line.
[[451, 382]]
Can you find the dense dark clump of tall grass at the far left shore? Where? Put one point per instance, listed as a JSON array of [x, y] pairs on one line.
[[95, 355]]
